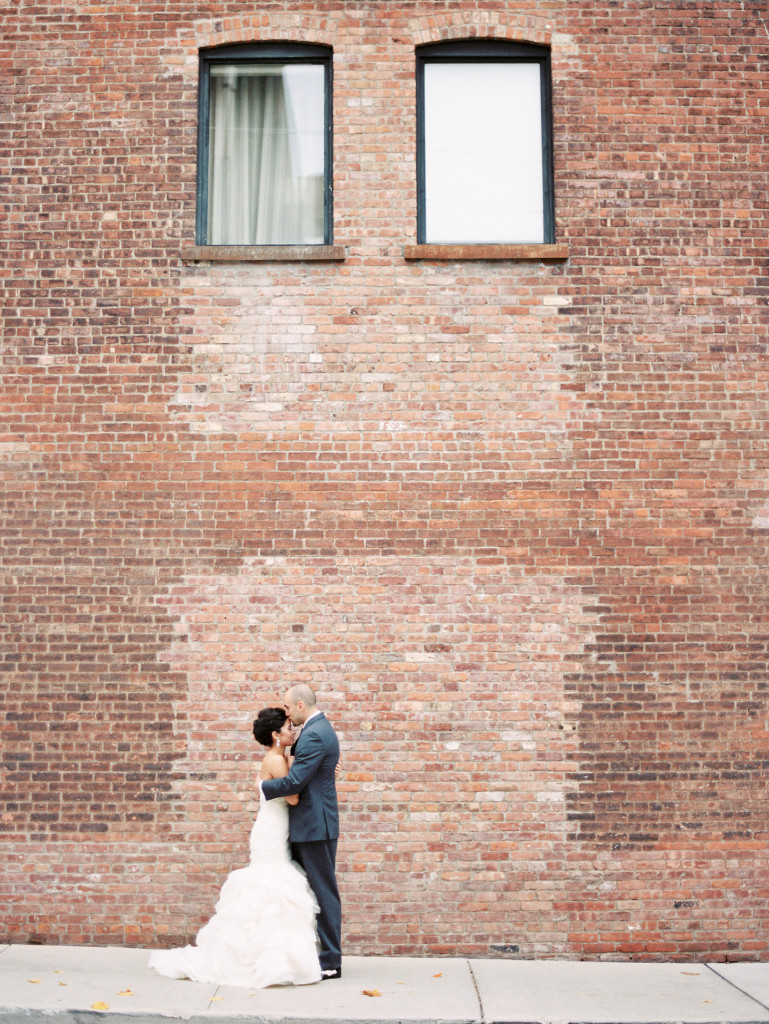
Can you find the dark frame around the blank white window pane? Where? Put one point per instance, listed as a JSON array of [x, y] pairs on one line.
[[490, 52]]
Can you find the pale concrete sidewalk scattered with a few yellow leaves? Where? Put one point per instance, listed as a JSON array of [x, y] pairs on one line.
[[78, 985]]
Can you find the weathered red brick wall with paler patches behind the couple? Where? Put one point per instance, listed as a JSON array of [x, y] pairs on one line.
[[509, 518]]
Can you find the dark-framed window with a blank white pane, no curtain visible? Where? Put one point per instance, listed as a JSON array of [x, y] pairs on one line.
[[485, 150]]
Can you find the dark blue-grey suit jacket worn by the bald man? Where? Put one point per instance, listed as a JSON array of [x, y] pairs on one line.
[[312, 776]]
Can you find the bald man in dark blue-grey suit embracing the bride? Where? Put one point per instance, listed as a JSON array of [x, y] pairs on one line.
[[314, 823]]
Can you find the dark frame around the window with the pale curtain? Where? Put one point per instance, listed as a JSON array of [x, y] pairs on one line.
[[269, 53]]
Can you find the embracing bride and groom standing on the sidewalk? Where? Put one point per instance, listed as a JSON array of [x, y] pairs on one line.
[[279, 921]]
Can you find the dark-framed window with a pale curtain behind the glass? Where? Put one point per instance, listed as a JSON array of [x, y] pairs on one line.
[[265, 146]]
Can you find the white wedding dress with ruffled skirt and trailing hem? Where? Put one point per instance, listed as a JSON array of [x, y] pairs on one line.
[[264, 929]]
